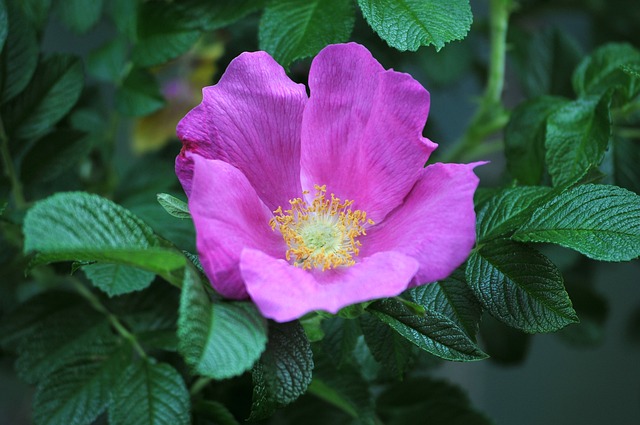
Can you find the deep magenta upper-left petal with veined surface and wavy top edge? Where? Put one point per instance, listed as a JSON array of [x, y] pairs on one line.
[[252, 120]]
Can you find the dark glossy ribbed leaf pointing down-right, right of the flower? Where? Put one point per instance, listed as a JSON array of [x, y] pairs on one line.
[[520, 287]]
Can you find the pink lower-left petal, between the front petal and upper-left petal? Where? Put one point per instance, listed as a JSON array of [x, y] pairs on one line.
[[228, 216]]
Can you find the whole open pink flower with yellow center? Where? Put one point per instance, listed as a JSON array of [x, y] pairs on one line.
[[316, 203]]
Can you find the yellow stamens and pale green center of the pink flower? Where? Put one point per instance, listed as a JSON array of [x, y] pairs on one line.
[[322, 234]]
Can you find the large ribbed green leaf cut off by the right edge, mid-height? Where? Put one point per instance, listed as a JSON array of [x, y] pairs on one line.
[[602, 222]]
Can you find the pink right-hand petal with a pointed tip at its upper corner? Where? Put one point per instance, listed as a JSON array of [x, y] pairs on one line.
[[435, 224]]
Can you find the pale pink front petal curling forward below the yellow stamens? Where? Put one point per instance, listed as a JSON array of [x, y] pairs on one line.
[[283, 292]]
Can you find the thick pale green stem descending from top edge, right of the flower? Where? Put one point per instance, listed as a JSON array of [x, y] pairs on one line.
[[490, 115]]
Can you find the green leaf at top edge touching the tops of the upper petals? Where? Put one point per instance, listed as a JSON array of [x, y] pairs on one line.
[[291, 29]]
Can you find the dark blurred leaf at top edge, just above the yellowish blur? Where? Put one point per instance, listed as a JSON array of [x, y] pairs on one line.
[[163, 33]]
